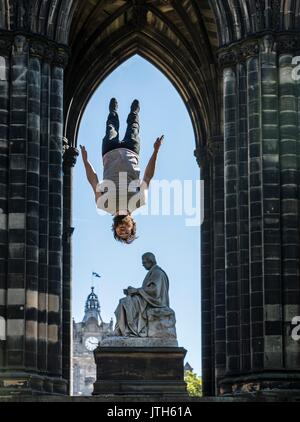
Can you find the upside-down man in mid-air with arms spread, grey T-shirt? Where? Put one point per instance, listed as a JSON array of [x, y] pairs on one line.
[[121, 191]]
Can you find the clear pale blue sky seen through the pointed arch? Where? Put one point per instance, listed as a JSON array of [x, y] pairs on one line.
[[176, 246]]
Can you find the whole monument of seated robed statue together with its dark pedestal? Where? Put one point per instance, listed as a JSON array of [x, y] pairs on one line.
[[142, 355]]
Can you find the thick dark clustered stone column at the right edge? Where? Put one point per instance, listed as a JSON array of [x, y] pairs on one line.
[[262, 232]]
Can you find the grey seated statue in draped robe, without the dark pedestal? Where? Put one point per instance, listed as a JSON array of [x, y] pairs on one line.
[[145, 311]]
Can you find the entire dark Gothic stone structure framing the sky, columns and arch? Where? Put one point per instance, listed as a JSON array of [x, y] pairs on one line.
[[235, 65]]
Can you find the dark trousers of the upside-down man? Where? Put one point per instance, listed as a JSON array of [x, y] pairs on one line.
[[131, 140]]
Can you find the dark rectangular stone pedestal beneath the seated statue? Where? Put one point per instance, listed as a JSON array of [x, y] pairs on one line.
[[140, 370]]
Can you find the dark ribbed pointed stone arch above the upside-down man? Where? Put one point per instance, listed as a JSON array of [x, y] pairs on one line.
[[147, 31]]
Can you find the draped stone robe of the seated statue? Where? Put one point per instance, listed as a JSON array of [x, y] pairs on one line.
[[131, 313]]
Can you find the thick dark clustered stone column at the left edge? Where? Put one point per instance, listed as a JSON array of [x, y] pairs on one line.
[[31, 132]]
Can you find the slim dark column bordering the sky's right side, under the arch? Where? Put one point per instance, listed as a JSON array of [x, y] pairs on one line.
[[211, 162]]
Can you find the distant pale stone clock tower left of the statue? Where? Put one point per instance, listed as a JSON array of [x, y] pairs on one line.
[[86, 336]]
